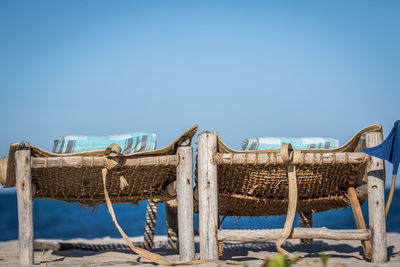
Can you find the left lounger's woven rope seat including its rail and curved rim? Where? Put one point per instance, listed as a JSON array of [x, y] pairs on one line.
[[77, 177]]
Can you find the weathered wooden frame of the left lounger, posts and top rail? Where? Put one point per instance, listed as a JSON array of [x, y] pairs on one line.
[[178, 154]]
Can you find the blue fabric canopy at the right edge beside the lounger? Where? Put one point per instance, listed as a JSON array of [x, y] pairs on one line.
[[389, 149]]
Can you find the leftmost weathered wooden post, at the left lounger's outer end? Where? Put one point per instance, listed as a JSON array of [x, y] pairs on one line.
[[25, 206]]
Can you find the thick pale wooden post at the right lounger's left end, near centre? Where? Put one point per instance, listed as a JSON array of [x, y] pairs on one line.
[[208, 199]]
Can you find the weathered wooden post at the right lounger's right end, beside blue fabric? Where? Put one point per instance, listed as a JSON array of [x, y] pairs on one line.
[[376, 201]]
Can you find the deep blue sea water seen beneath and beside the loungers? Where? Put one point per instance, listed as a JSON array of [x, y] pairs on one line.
[[61, 220]]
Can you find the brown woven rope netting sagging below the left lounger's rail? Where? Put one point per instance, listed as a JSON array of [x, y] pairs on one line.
[[84, 185]]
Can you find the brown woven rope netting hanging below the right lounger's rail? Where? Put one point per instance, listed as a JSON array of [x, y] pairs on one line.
[[254, 190]]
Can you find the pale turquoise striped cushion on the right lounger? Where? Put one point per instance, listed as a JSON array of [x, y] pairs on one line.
[[261, 143]]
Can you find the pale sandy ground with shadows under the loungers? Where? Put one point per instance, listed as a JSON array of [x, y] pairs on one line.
[[114, 252]]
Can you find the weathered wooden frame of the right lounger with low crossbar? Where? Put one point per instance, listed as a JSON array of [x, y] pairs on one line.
[[373, 239]]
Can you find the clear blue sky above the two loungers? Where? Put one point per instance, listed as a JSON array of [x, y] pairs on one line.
[[243, 68]]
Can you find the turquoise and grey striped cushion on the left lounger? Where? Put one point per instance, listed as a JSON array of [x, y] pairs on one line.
[[129, 143]]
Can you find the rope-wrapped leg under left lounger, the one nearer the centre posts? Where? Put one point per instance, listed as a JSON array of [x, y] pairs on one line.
[[171, 215]]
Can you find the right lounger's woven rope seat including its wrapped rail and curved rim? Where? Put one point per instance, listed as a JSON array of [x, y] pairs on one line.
[[255, 183]]
